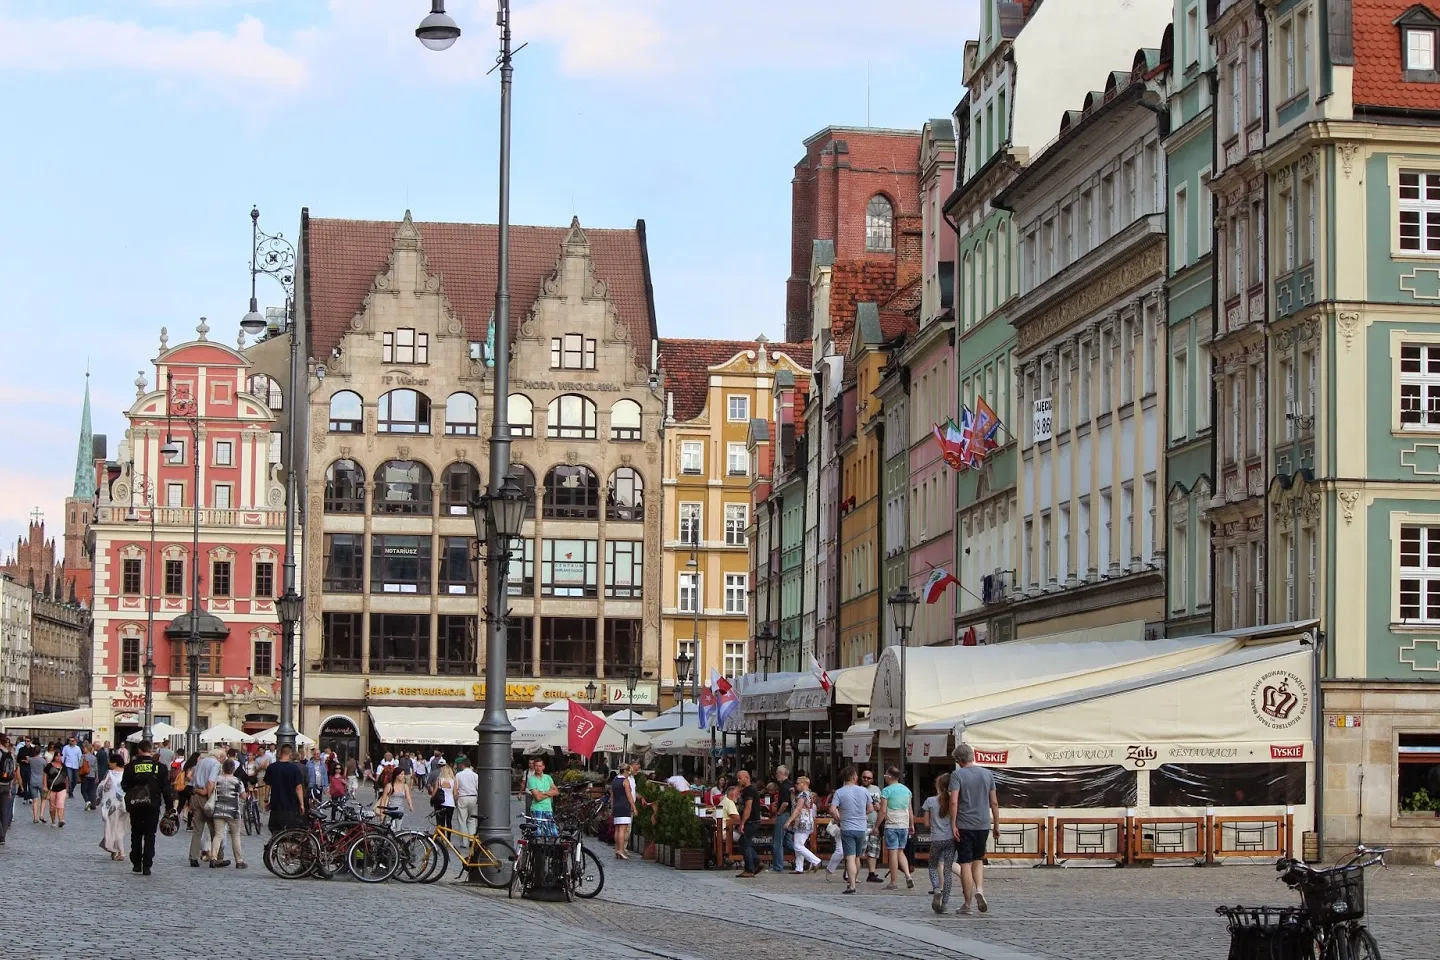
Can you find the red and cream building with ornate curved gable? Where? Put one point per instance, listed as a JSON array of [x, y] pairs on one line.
[[145, 588]]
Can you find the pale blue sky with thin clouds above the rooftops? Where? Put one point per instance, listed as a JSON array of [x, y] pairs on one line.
[[138, 135]]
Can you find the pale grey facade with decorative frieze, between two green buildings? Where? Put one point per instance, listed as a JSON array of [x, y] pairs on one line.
[[1089, 372]]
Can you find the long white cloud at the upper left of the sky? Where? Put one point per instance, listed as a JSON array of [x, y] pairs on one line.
[[93, 44]]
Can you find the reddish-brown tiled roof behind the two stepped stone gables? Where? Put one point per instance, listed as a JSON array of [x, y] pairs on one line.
[[342, 260]]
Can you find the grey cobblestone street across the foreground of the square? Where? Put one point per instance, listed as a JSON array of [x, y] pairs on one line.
[[654, 912]]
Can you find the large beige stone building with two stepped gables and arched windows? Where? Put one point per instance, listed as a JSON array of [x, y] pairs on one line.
[[400, 313]]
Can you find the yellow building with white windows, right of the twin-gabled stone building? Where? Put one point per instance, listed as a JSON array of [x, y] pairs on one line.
[[714, 391]]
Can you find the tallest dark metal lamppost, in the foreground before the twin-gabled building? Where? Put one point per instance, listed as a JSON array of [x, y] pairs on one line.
[[438, 32]]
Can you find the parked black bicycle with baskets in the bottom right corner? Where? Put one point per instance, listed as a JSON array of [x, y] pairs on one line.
[[1326, 928]]
